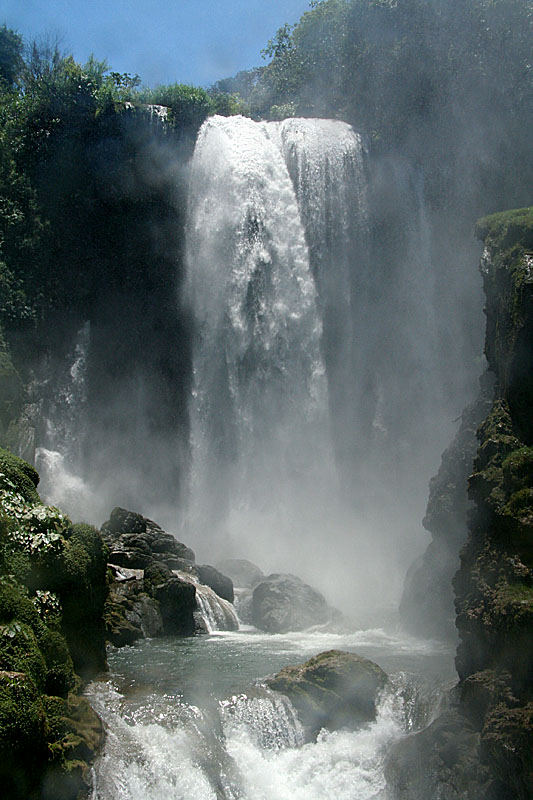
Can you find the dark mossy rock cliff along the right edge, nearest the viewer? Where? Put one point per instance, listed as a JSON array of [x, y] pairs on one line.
[[492, 706]]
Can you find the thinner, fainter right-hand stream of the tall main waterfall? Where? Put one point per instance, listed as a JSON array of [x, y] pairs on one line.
[[326, 160]]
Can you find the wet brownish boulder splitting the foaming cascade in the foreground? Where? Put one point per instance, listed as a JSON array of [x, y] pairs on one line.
[[332, 690]]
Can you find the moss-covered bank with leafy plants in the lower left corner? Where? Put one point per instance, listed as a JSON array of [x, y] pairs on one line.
[[52, 593]]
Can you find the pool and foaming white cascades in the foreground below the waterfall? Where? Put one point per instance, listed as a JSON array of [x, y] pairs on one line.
[[187, 719]]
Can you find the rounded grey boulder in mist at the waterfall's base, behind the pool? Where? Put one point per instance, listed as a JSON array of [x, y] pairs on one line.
[[282, 603]]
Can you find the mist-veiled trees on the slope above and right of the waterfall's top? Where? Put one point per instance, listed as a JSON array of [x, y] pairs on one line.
[[447, 84]]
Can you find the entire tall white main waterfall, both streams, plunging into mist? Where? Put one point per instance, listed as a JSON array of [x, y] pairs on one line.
[[260, 292]]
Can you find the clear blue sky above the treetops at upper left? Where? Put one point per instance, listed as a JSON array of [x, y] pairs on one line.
[[188, 41]]
